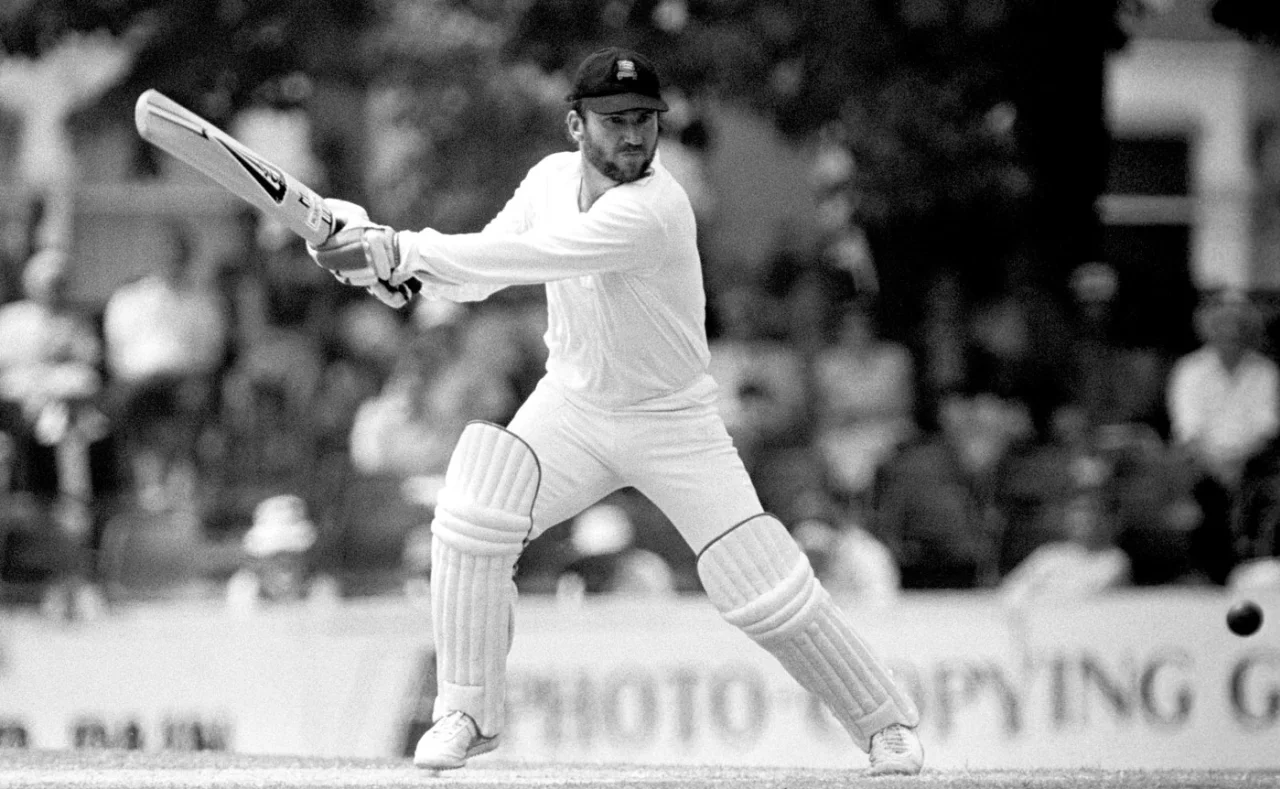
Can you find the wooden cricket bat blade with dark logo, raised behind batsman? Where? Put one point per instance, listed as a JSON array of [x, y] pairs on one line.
[[236, 167]]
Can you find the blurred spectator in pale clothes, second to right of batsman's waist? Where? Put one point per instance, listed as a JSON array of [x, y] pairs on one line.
[[865, 395]]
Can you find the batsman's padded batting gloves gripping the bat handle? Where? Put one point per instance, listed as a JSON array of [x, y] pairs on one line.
[[364, 256]]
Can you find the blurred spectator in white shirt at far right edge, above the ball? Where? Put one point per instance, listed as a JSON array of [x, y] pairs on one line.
[[1224, 409]]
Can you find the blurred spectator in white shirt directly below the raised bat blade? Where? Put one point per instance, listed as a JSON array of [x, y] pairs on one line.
[[166, 344]]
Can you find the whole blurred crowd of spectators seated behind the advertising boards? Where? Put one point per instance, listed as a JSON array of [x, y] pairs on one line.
[[250, 430]]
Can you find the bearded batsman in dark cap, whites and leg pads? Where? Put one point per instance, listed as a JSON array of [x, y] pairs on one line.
[[627, 402]]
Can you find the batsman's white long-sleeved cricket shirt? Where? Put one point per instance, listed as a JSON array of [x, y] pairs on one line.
[[625, 300]]
